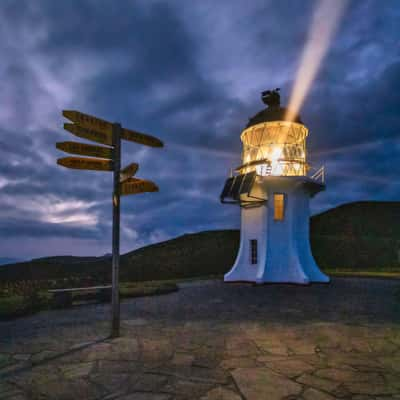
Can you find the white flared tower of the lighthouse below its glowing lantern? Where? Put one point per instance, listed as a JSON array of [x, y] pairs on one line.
[[274, 244]]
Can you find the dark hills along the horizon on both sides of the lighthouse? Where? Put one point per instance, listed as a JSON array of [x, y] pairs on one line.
[[360, 235]]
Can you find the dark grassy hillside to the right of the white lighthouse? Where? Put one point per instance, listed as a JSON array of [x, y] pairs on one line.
[[360, 235]]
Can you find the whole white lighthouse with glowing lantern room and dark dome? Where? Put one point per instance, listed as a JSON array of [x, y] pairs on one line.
[[273, 187]]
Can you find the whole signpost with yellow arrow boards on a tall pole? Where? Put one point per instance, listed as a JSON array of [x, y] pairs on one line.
[[104, 132]]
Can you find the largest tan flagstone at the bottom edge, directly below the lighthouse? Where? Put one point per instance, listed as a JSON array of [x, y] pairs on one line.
[[262, 383]]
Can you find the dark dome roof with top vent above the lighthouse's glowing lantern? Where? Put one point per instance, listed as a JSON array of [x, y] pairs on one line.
[[274, 111]]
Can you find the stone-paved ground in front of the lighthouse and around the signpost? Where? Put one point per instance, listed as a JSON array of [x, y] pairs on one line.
[[214, 341]]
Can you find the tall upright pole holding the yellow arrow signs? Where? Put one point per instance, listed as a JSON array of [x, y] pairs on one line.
[[116, 132]]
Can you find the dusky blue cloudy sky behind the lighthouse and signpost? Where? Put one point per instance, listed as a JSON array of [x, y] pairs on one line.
[[191, 73]]
